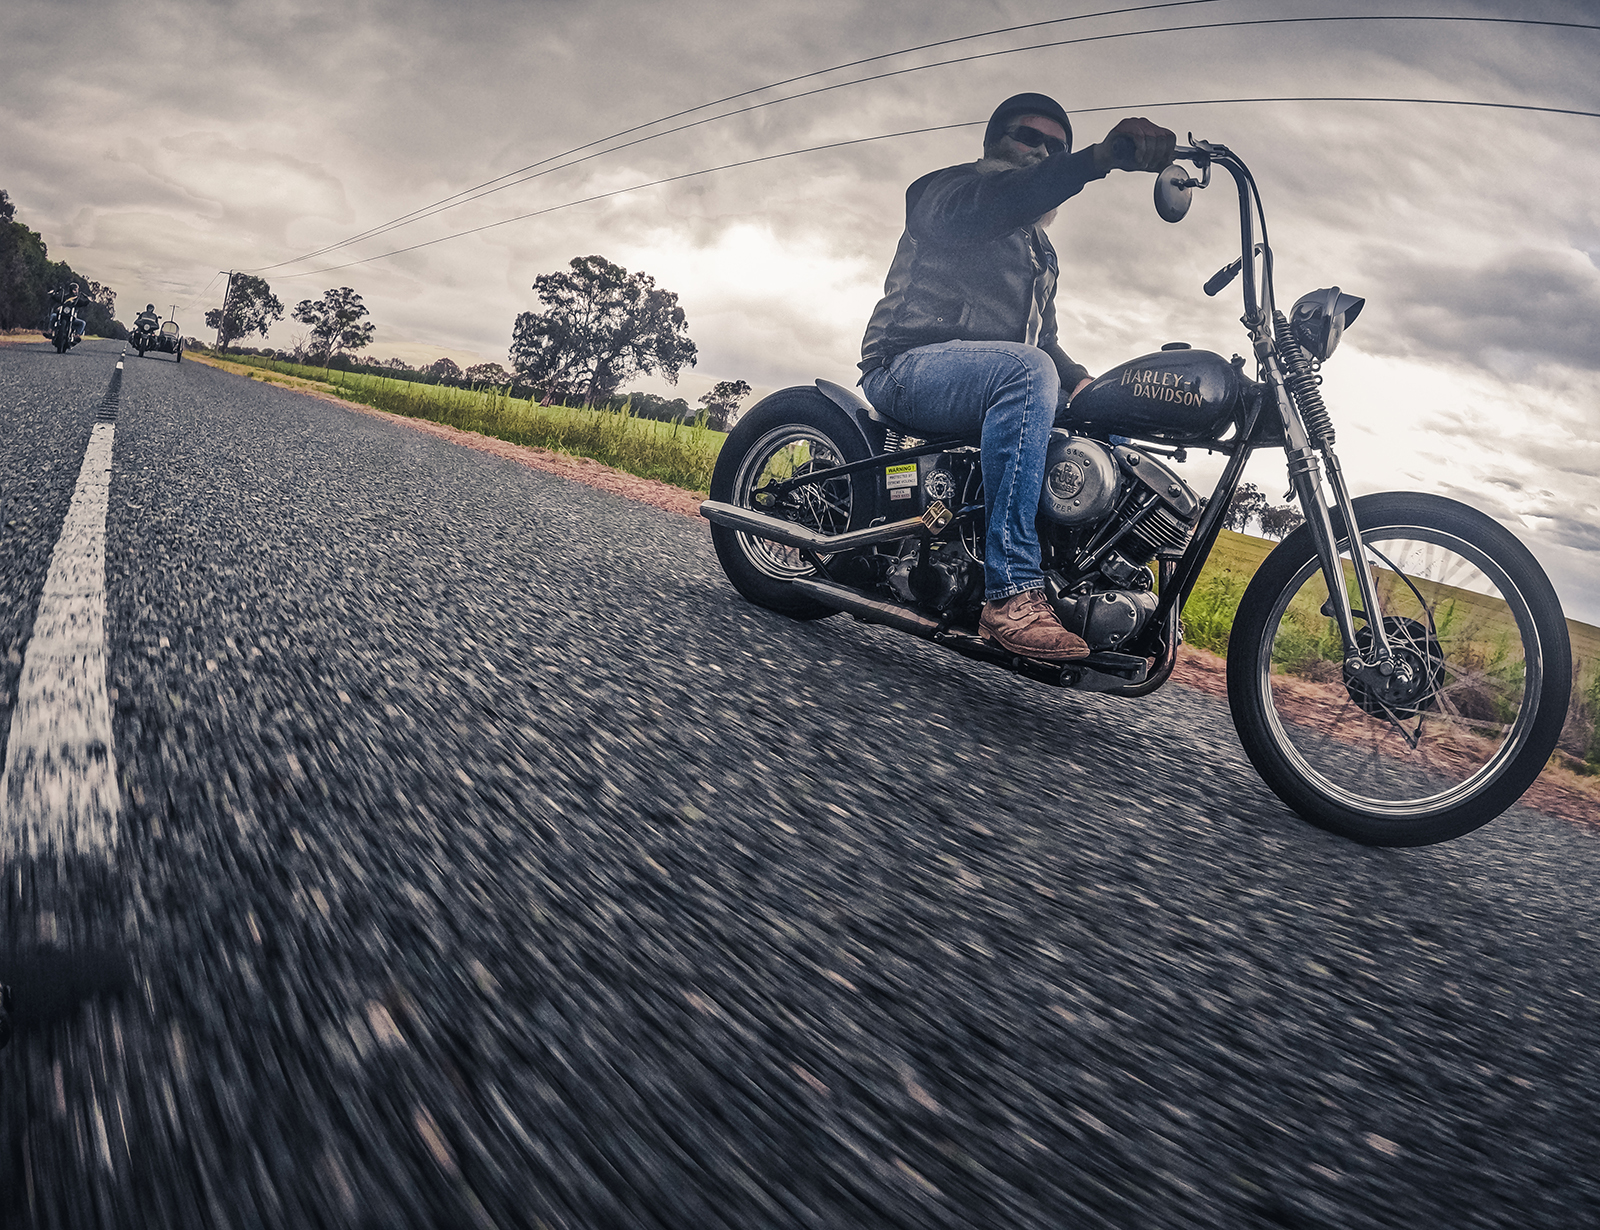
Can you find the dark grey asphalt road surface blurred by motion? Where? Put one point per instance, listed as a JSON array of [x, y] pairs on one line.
[[486, 861]]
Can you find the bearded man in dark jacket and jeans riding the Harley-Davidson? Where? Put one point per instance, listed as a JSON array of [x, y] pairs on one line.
[[966, 337]]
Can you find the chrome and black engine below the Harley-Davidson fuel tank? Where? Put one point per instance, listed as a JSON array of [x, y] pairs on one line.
[[1111, 509]]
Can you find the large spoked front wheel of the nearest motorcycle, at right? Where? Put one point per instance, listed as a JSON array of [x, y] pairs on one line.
[[1482, 650]]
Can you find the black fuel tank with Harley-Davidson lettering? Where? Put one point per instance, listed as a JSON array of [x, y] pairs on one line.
[[1180, 397]]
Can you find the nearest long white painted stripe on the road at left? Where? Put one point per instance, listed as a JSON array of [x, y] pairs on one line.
[[60, 789]]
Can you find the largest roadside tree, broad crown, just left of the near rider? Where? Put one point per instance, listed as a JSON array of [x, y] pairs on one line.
[[604, 327]]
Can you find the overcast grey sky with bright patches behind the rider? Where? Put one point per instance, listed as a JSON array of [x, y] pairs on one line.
[[158, 143]]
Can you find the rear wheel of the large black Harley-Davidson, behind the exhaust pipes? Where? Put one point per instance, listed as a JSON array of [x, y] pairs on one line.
[[794, 431]]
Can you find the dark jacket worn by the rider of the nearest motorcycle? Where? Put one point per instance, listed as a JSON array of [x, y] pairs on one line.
[[975, 265]]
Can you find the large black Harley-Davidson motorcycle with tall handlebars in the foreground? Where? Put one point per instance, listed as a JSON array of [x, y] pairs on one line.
[[1399, 666]]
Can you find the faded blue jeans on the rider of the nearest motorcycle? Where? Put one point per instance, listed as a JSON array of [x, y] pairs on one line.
[[1004, 394]]
